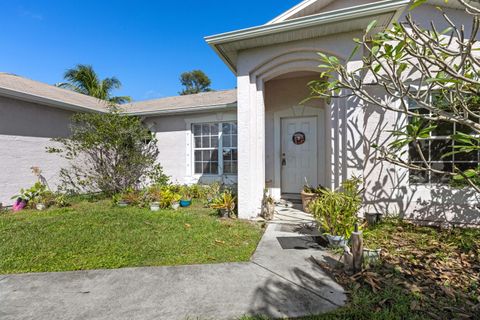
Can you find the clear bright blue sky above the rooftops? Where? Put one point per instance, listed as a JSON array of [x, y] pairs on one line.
[[146, 44]]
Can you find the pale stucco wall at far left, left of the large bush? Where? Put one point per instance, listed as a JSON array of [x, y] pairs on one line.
[[25, 131]]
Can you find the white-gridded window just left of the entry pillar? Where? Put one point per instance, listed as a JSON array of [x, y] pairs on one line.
[[215, 148]]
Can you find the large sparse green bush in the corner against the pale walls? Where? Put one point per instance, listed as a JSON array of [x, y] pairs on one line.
[[108, 152]]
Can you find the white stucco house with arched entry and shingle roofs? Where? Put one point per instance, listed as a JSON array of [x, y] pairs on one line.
[[247, 136]]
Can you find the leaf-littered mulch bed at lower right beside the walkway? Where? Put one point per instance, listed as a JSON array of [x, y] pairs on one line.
[[439, 268]]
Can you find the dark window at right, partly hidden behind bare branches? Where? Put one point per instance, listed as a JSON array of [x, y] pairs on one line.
[[434, 147]]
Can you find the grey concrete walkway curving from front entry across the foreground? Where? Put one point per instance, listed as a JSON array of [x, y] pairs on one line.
[[276, 283]]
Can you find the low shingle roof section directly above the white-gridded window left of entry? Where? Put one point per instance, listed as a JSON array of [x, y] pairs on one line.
[[189, 103]]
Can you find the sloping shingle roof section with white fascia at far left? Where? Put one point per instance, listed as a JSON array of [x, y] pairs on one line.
[[14, 86]]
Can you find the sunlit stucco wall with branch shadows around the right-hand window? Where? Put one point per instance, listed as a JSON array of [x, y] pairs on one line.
[[387, 186]]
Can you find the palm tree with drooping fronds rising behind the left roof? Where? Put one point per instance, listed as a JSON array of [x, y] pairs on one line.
[[83, 79]]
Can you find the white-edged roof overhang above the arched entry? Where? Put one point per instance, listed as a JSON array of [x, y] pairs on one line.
[[227, 45]]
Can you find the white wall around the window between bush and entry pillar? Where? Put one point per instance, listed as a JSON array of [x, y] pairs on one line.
[[175, 144]]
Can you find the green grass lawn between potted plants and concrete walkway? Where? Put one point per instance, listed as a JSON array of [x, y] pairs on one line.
[[99, 236]]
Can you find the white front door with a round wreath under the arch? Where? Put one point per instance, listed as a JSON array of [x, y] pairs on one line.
[[299, 153]]
